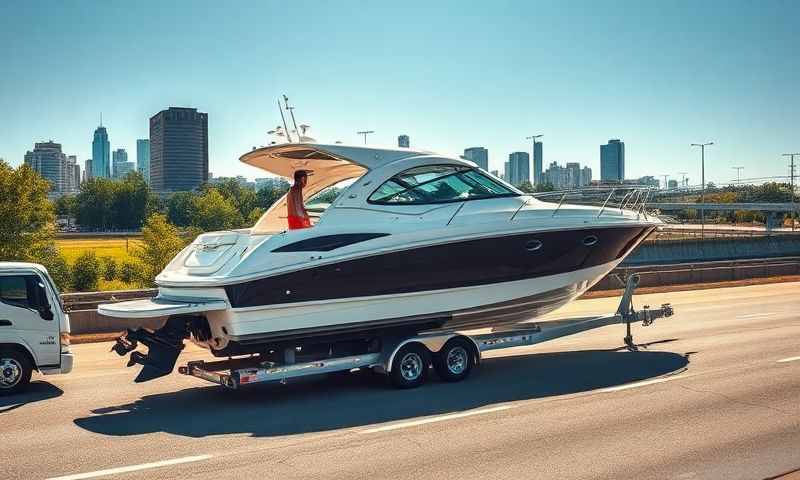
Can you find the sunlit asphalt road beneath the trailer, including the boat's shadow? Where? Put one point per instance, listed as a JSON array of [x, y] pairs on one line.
[[714, 393]]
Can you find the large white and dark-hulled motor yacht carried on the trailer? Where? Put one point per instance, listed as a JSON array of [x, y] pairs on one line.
[[402, 241]]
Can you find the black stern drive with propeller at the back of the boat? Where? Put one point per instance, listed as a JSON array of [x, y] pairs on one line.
[[163, 347]]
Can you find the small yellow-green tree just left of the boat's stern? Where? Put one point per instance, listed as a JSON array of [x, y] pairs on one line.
[[160, 243]]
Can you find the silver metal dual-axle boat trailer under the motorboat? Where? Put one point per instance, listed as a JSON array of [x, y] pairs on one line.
[[406, 359]]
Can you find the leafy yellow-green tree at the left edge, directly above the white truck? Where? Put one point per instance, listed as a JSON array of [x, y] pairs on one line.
[[26, 214]]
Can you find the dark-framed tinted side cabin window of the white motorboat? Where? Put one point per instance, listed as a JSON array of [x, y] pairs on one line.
[[438, 184]]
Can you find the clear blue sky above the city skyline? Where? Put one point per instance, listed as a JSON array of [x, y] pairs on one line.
[[657, 74]]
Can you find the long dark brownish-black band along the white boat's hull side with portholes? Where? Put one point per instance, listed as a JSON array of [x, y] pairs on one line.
[[438, 267]]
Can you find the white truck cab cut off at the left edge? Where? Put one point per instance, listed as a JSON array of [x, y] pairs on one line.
[[34, 328]]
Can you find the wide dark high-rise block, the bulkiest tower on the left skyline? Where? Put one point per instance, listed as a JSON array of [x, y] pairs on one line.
[[178, 149]]
